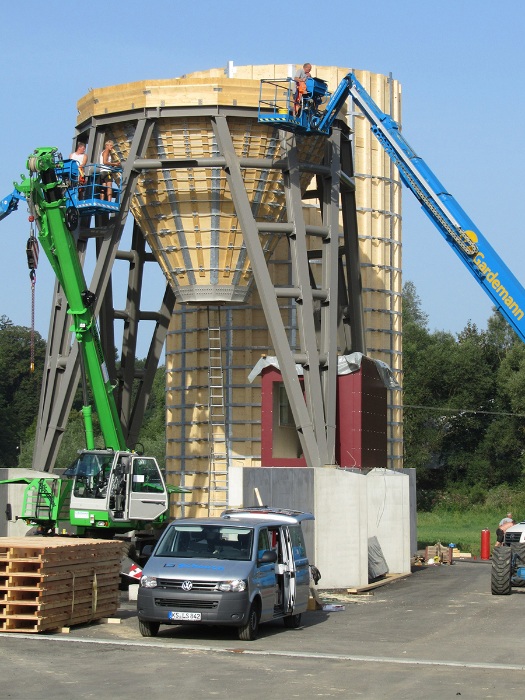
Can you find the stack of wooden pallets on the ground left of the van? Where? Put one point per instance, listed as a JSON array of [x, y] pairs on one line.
[[50, 582]]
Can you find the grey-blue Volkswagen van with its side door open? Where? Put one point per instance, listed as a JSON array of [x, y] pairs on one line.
[[246, 567]]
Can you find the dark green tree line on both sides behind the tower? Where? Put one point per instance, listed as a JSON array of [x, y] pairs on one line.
[[464, 397]]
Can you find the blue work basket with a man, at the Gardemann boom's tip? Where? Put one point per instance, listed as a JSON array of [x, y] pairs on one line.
[[279, 104]]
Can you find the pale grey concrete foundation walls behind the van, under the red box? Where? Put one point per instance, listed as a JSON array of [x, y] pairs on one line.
[[349, 508]]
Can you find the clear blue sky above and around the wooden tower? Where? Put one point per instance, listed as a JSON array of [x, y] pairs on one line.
[[461, 64]]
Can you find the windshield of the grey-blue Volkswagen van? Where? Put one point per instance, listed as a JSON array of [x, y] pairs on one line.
[[207, 542]]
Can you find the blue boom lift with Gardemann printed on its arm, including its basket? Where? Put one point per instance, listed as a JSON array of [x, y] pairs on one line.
[[316, 114]]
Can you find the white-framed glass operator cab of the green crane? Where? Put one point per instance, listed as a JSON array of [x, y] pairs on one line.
[[111, 487]]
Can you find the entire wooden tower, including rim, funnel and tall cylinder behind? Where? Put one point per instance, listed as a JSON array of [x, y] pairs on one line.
[[199, 161]]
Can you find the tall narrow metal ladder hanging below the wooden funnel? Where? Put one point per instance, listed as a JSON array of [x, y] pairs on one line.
[[218, 467]]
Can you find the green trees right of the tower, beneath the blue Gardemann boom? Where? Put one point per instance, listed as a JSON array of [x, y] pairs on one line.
[[458, 391]]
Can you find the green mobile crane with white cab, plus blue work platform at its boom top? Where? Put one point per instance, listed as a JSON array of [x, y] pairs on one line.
[[106, 491]]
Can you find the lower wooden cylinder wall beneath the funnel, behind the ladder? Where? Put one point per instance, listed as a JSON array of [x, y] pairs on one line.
[[245, 339]]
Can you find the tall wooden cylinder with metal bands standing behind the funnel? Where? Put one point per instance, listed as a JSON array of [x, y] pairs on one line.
[[378, 193]]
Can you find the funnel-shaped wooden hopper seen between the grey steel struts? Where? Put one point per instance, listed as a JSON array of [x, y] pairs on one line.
[[187, 213]]
